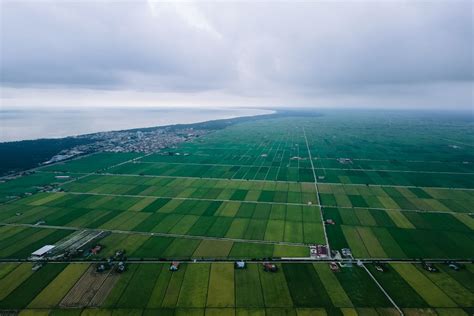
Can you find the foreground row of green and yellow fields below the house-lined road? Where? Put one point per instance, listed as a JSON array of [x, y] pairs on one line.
[[203, 288]]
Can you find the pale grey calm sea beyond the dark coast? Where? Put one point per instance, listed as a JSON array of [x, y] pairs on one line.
[[27, 124]]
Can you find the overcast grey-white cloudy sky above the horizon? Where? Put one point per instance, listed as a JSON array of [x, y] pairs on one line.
[[269, 54]]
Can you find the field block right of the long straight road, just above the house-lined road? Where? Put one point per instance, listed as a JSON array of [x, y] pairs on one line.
[[394, 234]]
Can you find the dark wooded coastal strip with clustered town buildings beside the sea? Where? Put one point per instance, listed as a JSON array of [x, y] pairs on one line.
[[23, 156]]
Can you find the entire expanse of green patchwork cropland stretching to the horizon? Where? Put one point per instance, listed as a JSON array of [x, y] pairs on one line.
[[395, 188]]
